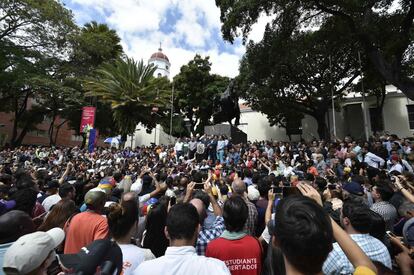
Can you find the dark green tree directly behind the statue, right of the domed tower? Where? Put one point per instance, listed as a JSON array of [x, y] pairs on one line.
[[196, 90]]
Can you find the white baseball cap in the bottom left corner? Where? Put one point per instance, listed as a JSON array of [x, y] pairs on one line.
[[31, 250]]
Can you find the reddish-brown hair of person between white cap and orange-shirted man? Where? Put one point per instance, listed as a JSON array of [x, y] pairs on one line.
[[59, 214]]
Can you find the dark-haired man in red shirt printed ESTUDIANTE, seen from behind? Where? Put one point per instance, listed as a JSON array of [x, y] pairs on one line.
[[240, 252]]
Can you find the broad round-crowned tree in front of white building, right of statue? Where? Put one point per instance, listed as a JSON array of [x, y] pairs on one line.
[[286, 76]]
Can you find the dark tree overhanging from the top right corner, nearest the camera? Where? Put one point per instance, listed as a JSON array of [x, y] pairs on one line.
[[383, 29]]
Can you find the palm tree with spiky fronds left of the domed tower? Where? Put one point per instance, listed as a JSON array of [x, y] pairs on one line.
[[132, 91]]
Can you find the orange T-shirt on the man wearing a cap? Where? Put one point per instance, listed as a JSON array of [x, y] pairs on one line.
[[83, 229]]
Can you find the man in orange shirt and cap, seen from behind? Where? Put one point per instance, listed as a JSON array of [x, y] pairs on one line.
[[84, 228]]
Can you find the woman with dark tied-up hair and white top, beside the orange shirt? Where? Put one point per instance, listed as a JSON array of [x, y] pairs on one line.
[[123, 223]]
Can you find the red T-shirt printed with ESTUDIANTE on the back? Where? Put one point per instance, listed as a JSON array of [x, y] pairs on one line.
[[242, 256]]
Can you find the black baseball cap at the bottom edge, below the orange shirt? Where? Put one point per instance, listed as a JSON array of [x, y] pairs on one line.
[[100, 253]]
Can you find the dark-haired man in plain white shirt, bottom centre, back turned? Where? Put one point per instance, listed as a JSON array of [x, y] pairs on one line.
[[181, 257]]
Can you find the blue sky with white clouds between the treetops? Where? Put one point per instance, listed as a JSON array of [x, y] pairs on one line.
[[184, 27]]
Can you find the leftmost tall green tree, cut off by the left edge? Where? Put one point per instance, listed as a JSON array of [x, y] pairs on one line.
[[34, 42]]
